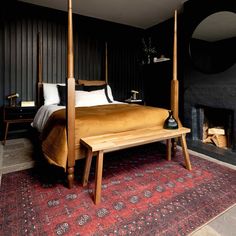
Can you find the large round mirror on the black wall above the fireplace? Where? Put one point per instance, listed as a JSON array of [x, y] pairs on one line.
[[213, 44]]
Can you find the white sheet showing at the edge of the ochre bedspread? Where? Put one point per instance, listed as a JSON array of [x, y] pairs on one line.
[[45, 111]]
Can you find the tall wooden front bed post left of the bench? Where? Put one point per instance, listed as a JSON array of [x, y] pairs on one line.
[[70, 106]]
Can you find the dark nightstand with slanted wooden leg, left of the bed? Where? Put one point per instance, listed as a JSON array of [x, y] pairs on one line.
[[13, 115]]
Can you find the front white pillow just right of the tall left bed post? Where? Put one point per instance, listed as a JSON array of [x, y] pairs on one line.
[[93, 98]]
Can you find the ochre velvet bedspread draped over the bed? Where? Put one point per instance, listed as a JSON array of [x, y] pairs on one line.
[[94, 121]]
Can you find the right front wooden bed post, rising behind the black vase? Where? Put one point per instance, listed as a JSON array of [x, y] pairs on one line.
[[175, 84]]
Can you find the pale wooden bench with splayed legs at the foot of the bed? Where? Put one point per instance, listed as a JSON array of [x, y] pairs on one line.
[[118, 141]]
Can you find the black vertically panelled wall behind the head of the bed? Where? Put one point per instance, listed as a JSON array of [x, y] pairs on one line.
[[19, 26]]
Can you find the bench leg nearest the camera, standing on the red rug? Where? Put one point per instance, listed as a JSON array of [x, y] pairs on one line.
[[98, 178]]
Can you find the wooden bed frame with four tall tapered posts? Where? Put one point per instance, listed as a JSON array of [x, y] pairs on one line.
[[70, 107]]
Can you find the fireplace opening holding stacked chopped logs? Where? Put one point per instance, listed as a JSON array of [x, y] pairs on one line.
[[215, 126]]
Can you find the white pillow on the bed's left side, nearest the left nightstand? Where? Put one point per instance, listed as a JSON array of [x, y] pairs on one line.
[[50, 93]]
